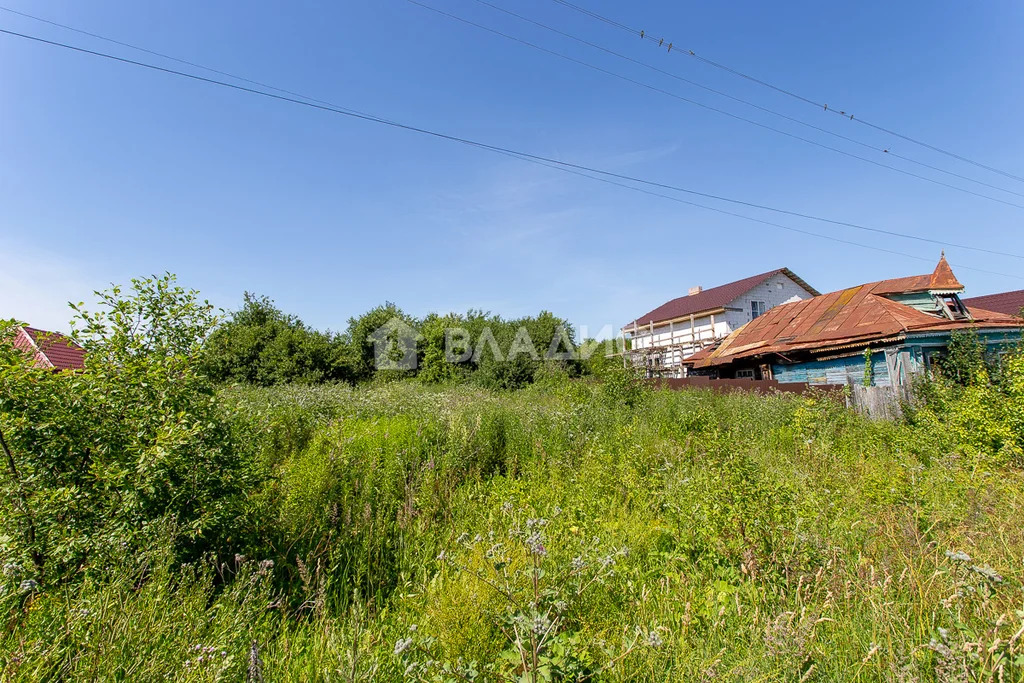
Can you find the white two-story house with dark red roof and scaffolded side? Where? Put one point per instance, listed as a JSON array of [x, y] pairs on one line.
[[661, 339]]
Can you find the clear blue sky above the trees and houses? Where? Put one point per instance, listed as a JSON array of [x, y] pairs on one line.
[[108, 172]]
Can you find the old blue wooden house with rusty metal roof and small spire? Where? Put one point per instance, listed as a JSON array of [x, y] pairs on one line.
[[895, 327]]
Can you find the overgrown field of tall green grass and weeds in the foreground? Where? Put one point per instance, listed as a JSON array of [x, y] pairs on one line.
[[570, 531]]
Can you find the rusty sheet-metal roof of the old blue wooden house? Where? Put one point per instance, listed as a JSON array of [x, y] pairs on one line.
[[850, 318]]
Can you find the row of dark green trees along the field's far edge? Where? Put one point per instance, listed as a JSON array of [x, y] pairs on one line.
[[263, 346]]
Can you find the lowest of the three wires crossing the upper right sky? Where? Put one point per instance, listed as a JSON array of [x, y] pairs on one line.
[[710, 108]]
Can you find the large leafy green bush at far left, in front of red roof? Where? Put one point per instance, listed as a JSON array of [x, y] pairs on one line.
[[106, 458]]
